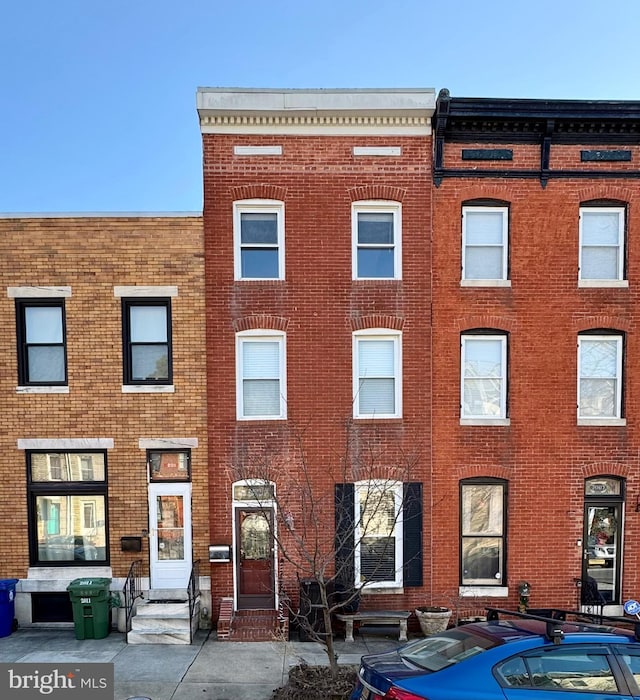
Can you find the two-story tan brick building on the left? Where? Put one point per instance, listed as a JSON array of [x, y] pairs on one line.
[[104, 416]]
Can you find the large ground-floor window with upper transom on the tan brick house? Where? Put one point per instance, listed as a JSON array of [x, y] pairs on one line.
[[67, 508]]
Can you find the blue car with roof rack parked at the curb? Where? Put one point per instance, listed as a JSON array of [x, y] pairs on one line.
[[512, 656]]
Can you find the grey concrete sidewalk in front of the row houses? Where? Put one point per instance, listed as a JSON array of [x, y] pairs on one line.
[[207, 669]]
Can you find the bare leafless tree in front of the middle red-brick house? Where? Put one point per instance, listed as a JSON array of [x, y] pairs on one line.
[[316, 530]]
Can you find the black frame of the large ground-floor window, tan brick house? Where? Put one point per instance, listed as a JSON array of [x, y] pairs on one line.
[[40, 489]]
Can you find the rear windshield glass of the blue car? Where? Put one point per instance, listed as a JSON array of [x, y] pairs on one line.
[[441, 650]]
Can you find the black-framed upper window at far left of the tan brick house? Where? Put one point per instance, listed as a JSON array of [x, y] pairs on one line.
[[42, 353]]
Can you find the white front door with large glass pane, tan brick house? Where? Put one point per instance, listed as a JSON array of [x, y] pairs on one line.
[[170, 555]]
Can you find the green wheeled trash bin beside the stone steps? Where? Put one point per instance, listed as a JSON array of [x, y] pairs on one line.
[[91, 602]]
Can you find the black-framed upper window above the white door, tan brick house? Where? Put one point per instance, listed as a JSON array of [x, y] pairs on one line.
[[147, 341]]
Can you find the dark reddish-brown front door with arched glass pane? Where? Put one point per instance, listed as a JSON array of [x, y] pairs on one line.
[[254, 558]]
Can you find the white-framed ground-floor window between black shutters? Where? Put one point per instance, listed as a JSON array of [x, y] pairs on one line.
[[378, 537]]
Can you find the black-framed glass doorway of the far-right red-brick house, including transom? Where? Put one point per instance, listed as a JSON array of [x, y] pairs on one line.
[[601, 571]]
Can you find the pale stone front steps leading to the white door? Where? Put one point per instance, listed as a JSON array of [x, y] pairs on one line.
[[163, 621]]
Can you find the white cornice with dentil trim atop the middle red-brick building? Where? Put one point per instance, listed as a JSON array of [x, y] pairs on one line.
[[316, 112]]
